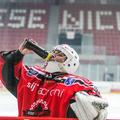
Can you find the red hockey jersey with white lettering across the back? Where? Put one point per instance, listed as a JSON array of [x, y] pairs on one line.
[[38, 94]]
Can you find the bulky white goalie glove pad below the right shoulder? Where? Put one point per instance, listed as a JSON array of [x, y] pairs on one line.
[[88, 107]]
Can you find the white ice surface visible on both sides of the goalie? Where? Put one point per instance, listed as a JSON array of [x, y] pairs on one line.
[[8, 105]]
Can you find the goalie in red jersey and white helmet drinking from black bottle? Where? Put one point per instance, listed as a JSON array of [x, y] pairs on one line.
[[53, 90]]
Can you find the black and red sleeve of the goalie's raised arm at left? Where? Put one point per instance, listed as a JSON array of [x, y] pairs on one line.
[[9, 62]]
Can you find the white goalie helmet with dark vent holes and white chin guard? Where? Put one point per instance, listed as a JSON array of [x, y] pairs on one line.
[[70, 65]]
